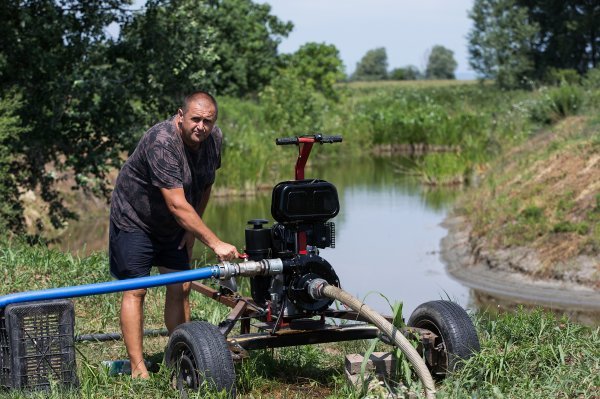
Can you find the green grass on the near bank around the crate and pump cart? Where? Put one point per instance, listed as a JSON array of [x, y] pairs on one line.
[[524, 355]]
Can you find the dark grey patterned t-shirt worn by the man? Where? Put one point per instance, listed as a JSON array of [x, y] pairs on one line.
[[161, 160]]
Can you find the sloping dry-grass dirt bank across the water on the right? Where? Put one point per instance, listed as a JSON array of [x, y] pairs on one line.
[[530, 232]]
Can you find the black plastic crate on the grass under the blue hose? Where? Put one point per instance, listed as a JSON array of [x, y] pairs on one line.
[[37, 345]]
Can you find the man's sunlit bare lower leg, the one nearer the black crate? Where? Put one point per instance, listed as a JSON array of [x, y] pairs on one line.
[[132, 326]]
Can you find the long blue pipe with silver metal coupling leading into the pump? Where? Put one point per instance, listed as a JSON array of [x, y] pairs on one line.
[[222, 271]]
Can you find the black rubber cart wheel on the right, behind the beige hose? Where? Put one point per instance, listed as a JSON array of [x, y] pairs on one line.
[[457, 339]]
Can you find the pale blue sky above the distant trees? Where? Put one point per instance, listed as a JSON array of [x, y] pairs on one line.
[[407, 29]]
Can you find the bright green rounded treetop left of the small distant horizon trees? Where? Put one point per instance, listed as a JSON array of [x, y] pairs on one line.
[[318, 65]]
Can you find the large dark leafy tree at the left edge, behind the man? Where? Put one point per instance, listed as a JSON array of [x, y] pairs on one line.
[[73, 100]]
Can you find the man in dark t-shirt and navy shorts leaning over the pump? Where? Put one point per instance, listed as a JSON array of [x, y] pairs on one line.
[[156, 213]]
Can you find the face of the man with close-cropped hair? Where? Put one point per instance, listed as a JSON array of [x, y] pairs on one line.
[[197, 122]]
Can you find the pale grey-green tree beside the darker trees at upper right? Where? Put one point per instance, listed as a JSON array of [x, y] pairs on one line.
[[500, 42]]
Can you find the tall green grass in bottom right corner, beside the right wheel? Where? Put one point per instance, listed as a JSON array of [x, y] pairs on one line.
[[529, 355]]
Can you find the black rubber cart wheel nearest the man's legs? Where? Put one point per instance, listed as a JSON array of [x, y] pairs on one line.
[[200, 358]]
